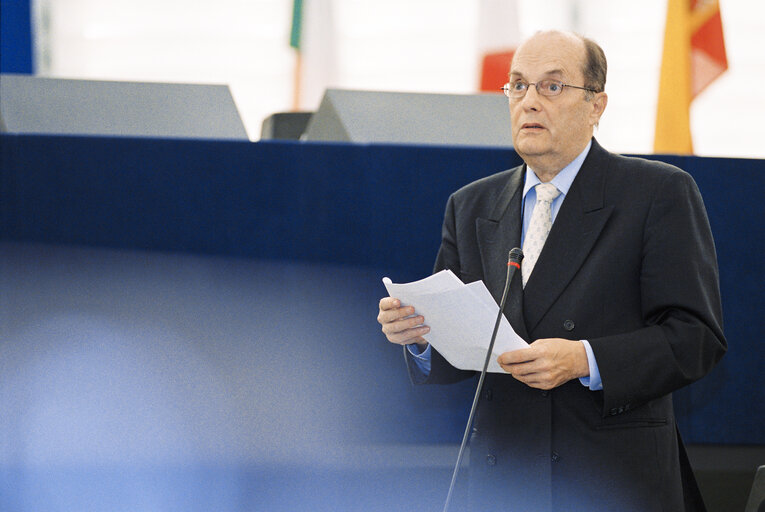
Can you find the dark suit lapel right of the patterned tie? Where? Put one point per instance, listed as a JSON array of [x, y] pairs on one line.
[[577, 226]]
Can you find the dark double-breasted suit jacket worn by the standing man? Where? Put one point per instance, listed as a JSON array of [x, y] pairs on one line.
[[630, 266]]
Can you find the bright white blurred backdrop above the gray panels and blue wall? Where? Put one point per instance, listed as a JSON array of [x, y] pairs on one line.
[[433, 46]]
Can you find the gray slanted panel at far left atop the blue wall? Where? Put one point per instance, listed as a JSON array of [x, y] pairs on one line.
[[31, 104]]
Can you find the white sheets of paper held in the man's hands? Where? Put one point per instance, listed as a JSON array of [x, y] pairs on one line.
[[461, 319]]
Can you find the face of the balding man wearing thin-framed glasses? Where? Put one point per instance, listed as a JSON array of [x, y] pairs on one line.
[[550, 131]]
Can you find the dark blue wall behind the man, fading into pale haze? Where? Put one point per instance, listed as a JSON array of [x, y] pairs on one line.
[[191, 324]]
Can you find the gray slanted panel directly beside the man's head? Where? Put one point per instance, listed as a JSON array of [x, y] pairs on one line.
[[411, 118]]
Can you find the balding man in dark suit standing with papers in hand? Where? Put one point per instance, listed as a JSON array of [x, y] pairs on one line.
[[621, 307]]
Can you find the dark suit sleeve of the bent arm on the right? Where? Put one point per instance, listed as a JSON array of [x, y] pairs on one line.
[[680, 303]]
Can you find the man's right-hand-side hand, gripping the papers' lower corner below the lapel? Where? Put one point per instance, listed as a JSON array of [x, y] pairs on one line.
[[547, 363]]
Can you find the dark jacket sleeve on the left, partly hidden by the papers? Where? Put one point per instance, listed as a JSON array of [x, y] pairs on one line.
[[441, 371]]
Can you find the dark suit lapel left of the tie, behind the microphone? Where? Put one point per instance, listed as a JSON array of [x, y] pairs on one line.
[[496, 235]]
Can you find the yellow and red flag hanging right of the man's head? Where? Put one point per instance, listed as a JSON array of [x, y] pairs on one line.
[[693, 56]]
